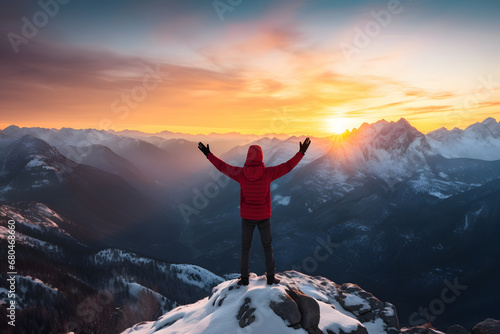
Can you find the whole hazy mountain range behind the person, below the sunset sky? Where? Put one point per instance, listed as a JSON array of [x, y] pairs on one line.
[[397, 211]]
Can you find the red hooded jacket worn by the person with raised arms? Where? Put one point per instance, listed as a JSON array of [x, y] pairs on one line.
[[255, 181]]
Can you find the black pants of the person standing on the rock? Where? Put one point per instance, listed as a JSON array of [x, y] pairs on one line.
[[247, 228]]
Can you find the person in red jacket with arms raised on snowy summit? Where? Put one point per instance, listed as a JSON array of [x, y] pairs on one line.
[[255, 201]]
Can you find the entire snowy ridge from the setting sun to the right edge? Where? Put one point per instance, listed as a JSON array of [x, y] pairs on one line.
[[389, 154]]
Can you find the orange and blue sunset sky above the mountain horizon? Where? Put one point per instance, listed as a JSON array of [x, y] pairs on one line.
[[312, 67]]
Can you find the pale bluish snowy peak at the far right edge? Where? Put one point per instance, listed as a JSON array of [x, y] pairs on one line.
[[477, 141]]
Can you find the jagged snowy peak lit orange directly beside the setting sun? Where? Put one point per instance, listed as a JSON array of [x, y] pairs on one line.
[[388, 151]]
